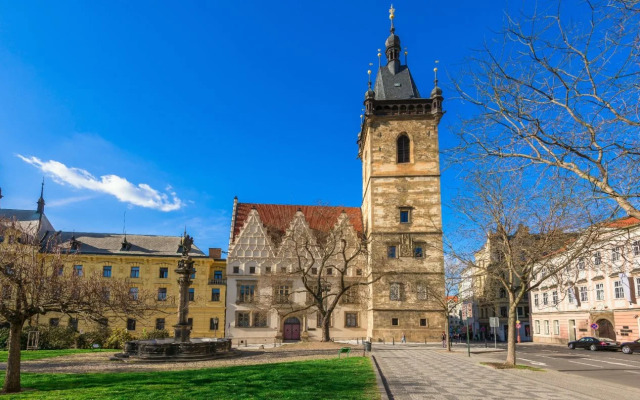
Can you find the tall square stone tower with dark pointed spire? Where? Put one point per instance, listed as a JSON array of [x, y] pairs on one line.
[[401, 205]]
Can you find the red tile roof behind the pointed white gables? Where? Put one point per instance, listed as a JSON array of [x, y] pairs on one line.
[[277, 217]]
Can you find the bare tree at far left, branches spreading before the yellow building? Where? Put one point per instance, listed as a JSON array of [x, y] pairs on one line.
[[34, 282]]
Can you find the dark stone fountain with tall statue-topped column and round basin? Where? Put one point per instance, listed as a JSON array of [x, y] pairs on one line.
[[181, 347]]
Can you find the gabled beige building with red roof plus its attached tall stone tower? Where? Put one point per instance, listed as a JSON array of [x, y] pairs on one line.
[[400, 215]]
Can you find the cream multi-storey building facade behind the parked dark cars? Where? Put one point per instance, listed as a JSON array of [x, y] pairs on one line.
[[597, 294]]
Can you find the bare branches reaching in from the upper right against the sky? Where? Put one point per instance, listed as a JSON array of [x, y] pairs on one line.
[[559, 88]]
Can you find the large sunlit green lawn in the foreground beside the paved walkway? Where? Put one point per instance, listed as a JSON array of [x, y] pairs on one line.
[[347, 378]]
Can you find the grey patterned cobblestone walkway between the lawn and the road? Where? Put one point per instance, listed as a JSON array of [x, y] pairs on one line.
[[430, 373]]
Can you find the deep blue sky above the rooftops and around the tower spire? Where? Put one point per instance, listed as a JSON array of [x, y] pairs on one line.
[[199, 101]]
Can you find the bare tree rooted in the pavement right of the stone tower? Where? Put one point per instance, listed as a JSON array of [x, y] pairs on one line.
[[522, 223]]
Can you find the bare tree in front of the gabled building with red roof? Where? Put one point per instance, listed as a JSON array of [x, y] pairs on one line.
[[327, 266]]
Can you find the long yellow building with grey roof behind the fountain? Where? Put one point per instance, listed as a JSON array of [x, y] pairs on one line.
[[148, 263]]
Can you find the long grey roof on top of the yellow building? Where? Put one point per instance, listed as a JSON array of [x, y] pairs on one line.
[[111, 244]]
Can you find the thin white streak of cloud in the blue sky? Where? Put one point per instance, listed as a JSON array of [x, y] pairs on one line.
[[141, 195]]
